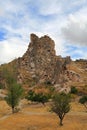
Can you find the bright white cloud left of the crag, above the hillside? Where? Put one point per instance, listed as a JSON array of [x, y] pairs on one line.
[[11, 49]]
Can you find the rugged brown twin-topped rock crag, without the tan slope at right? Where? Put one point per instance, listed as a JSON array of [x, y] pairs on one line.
[[41, 63]]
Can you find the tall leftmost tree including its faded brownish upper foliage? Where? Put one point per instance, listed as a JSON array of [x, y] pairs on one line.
[[15, 90]]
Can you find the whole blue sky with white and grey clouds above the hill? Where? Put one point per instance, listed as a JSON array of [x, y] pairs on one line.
[[65, 21]]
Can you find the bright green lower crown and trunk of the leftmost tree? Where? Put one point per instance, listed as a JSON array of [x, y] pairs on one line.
[[15, 92]]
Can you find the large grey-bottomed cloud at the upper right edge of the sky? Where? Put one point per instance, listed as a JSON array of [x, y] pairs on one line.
[[76, 29]]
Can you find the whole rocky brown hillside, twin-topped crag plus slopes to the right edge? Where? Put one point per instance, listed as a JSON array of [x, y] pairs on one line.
[[40, 64]]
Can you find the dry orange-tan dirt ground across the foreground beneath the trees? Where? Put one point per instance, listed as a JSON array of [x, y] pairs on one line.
[[38, 117]]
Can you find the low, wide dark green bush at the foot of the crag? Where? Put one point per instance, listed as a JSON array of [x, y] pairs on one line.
[[38, 97]]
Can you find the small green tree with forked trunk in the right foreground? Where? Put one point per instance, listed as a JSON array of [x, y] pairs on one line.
[[61, 105]]
